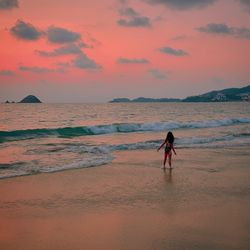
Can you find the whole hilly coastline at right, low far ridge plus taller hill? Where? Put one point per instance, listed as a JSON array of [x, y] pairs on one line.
[[225, 95]]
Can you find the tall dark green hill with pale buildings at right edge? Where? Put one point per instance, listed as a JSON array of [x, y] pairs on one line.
[[224, 95]]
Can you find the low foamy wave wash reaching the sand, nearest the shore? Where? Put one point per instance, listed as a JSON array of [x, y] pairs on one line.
[[96, 155]]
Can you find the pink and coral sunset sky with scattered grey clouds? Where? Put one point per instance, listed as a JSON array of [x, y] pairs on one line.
[[94, 51]]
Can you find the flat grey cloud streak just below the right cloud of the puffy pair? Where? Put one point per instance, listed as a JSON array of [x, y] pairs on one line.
[[69, 49]]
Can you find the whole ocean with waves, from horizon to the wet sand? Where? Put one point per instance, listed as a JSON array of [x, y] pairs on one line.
[[42, 138]]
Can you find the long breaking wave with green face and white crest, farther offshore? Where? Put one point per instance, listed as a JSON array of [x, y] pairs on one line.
[[115, 128]]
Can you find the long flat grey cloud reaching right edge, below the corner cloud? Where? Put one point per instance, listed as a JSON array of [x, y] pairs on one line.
[[224, 29]]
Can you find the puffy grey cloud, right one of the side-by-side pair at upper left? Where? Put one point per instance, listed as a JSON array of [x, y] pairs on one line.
[[61, 35]]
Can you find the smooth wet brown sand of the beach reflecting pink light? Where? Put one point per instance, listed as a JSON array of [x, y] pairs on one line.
[[203, 203]]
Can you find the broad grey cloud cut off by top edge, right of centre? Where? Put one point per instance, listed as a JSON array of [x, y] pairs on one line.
[[183, 4]]
